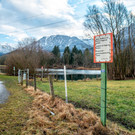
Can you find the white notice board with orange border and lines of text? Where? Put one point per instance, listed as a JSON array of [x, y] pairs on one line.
[[103, 48]]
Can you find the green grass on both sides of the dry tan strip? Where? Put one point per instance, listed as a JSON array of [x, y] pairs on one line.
[[83, 94]]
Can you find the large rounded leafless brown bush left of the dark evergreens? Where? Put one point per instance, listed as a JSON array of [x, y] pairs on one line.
[[29, 55]]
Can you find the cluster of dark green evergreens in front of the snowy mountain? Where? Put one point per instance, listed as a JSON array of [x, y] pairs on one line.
[[72, 58]]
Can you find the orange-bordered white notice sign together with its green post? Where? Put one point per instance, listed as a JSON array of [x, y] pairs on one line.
[[103, 53]]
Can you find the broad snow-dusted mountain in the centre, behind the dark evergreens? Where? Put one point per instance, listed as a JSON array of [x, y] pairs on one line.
[[63, 41]]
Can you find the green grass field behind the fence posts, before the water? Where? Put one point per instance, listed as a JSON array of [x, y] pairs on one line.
[[120, 98]]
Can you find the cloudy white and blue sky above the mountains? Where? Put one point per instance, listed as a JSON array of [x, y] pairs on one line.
[[38, 18]]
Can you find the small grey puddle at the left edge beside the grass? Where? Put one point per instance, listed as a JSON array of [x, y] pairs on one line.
[[3, 93]]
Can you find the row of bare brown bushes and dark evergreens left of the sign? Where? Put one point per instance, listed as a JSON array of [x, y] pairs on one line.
[[31, 55]]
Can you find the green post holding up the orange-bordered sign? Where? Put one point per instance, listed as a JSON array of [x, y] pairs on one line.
[[103, 93]]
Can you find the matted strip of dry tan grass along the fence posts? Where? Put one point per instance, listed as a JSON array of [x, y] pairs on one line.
[[66, 121]]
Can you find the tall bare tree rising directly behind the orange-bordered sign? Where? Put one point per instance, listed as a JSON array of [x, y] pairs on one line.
[[111, 18]]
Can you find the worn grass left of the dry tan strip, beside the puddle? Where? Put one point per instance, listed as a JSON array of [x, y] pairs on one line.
[[13, 114]]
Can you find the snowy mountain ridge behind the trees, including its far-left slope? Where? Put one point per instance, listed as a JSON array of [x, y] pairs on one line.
[[48, 43]]
